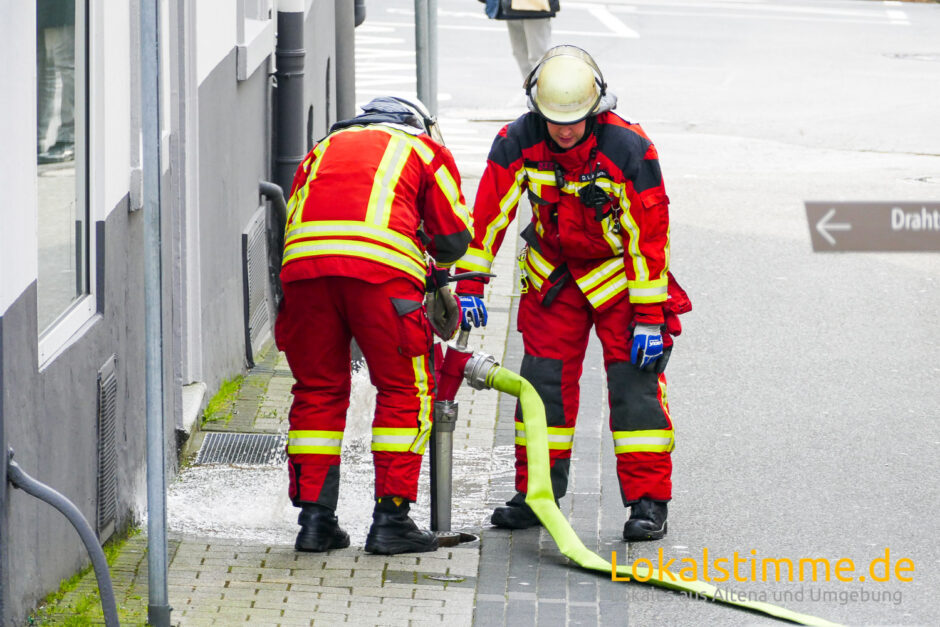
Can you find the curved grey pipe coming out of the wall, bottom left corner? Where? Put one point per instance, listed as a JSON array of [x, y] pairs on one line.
[[20, 480]]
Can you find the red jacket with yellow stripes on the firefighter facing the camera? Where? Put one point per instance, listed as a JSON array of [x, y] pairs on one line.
[[619, 250]]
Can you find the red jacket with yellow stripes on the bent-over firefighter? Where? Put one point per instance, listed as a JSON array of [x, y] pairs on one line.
[[369, 201]]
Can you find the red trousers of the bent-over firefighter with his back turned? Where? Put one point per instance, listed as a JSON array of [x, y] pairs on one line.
[[318, 318]]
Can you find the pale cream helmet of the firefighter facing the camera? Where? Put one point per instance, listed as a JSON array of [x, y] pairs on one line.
[[565, 86]]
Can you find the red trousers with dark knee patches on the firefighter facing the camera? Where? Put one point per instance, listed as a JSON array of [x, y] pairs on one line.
[[555, 339]]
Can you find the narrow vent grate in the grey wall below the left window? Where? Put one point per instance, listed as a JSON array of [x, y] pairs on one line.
[[107, 450]]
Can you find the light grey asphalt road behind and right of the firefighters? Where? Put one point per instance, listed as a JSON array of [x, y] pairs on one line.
[[806, 387]]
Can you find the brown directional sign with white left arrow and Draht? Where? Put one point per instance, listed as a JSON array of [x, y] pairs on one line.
[[874, 226]]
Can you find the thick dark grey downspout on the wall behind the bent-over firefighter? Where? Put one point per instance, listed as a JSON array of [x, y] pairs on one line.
[[289, 136]]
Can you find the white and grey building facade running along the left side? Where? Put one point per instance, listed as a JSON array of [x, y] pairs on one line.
[[48, 410]]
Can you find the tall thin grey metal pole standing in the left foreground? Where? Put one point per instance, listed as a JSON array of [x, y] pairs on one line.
[[158, 607]]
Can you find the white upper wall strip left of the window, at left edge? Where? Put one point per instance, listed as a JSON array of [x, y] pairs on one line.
[[18, 245]]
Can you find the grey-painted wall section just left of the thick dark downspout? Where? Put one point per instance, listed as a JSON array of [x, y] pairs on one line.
[[232, 151]]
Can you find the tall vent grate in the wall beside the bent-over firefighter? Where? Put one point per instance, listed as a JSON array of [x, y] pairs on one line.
[[255, 267]]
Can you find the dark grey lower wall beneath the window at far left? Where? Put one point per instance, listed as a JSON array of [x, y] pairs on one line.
[[49, 418]]
